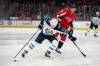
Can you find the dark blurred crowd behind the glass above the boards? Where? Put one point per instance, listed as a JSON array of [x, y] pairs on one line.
[[33, 9]]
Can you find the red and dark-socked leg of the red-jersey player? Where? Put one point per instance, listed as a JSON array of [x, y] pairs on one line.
[[61, 42]]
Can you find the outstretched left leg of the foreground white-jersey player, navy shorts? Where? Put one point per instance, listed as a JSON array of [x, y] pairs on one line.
[[33, 44]]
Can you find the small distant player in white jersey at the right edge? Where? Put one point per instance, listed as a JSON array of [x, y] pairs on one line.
[[95, 21]]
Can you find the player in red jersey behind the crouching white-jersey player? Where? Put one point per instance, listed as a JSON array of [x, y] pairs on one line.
[[66, 17]]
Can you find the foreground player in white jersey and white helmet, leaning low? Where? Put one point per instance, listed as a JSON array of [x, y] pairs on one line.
[[47, 32]]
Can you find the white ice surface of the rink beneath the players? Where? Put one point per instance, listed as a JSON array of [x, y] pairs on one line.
[[13, 39]]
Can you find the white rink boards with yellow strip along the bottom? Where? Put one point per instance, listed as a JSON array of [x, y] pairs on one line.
[[81, 25]]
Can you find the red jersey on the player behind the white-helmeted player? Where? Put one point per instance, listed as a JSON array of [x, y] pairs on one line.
[[67, 18]]
